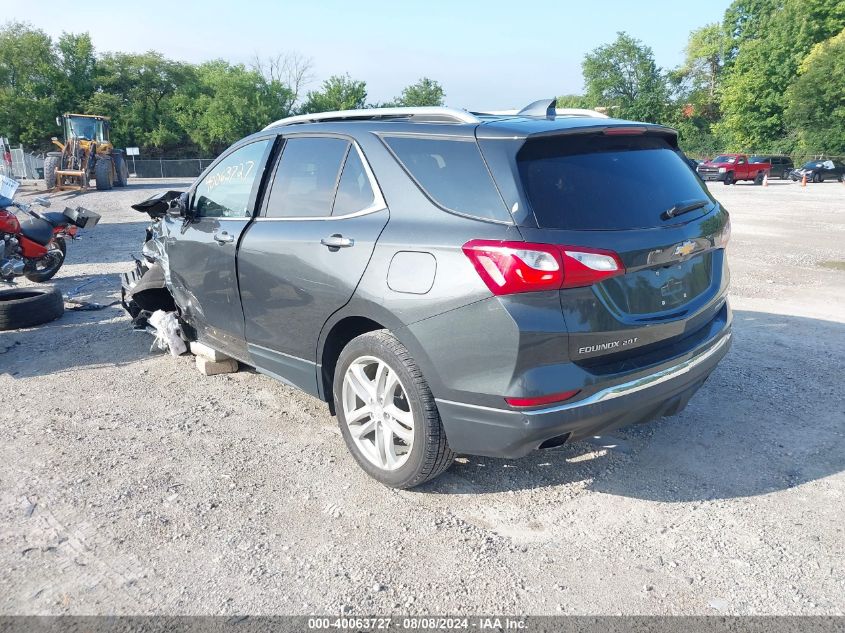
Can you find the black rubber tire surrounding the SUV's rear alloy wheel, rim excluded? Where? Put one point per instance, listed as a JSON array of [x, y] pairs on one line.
[[430, 454]]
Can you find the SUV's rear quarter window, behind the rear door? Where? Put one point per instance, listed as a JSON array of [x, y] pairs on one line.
[[452, 173]]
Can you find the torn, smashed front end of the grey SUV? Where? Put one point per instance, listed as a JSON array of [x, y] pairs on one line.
[[145, 289]]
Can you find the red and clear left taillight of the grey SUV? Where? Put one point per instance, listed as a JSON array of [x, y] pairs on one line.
[[511, 267]]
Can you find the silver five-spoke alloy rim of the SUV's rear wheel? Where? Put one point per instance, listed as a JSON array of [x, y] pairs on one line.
[[377, 412]]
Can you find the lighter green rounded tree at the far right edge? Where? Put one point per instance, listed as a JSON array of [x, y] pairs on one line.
[[815, 102]]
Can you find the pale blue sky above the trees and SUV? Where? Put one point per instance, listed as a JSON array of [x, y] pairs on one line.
[[487, 55]]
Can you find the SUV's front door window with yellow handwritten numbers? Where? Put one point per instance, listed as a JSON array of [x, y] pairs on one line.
[[226, 190]]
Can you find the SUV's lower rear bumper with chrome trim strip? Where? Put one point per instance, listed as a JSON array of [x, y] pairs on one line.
[[478, 430]]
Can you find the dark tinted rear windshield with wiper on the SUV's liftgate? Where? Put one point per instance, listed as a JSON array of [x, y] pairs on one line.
[[599, 182]]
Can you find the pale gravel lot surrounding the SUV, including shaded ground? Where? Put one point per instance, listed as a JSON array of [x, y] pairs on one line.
[[130, 484]]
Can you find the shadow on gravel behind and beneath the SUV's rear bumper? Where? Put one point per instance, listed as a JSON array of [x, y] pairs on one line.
[[771, 417]]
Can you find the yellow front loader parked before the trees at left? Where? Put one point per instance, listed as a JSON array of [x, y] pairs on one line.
[[87, 154]]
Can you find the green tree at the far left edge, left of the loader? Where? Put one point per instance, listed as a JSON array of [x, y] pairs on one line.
[[28, 76]]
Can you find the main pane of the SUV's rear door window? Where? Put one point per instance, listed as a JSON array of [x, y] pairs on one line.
[[306, 178]]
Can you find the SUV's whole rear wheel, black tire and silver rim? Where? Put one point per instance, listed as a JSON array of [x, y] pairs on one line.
[[387, 414]]
